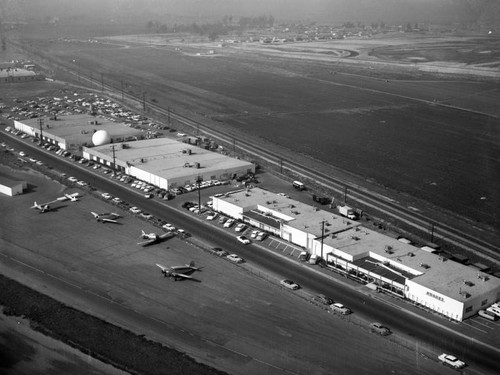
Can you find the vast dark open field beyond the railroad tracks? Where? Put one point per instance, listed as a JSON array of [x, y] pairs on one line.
[[433, 138]]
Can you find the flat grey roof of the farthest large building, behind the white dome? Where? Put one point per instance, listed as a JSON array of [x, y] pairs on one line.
[[78, 129]]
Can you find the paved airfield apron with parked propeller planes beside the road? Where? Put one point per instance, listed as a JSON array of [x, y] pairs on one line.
[[232, 319]]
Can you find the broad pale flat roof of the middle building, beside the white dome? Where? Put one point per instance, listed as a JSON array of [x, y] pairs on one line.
[[169, 157]]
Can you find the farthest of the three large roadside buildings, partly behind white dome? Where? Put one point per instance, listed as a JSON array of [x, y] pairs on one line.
[[71, 132]]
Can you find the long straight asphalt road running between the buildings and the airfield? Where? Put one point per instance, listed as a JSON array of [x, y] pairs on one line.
[[436, 337]]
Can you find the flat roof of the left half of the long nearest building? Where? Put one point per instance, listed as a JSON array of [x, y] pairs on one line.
[[295, 214]]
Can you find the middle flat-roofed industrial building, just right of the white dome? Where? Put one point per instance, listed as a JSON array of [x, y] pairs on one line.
[[168, 163]]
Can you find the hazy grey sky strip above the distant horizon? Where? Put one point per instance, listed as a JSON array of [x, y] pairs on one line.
[[329, 11]]
